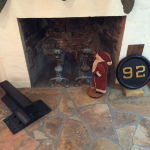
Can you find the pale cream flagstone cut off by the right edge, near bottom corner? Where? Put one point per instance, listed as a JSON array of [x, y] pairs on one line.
[[142, 135]]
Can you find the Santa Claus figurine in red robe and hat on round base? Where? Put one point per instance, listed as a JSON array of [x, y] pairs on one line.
[[99, 78]]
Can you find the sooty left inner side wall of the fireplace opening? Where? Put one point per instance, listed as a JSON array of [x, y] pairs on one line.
[[32, 32]]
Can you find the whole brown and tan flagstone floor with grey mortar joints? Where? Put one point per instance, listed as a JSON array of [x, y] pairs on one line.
[[79, 122]]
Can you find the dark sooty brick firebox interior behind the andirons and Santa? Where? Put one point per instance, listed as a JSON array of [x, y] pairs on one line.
[[41, 36]]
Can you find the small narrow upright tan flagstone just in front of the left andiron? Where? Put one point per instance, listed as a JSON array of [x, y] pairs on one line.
[[66, 105]]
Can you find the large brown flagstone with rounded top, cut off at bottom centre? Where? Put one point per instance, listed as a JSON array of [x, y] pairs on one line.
[[75, 136]]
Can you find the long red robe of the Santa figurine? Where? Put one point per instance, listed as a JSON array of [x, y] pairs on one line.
[[100, 82]]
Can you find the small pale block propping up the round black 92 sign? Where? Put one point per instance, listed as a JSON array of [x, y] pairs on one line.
[[135, 92]]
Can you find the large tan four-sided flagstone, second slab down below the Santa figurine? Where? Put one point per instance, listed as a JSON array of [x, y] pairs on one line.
[[98, 118]]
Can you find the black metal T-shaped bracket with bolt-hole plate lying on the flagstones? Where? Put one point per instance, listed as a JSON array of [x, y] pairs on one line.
[[24, 112]]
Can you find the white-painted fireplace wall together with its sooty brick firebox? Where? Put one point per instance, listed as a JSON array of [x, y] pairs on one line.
[[30, 31]]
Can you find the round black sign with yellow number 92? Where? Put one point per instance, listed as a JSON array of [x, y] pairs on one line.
[[133, 71]]
